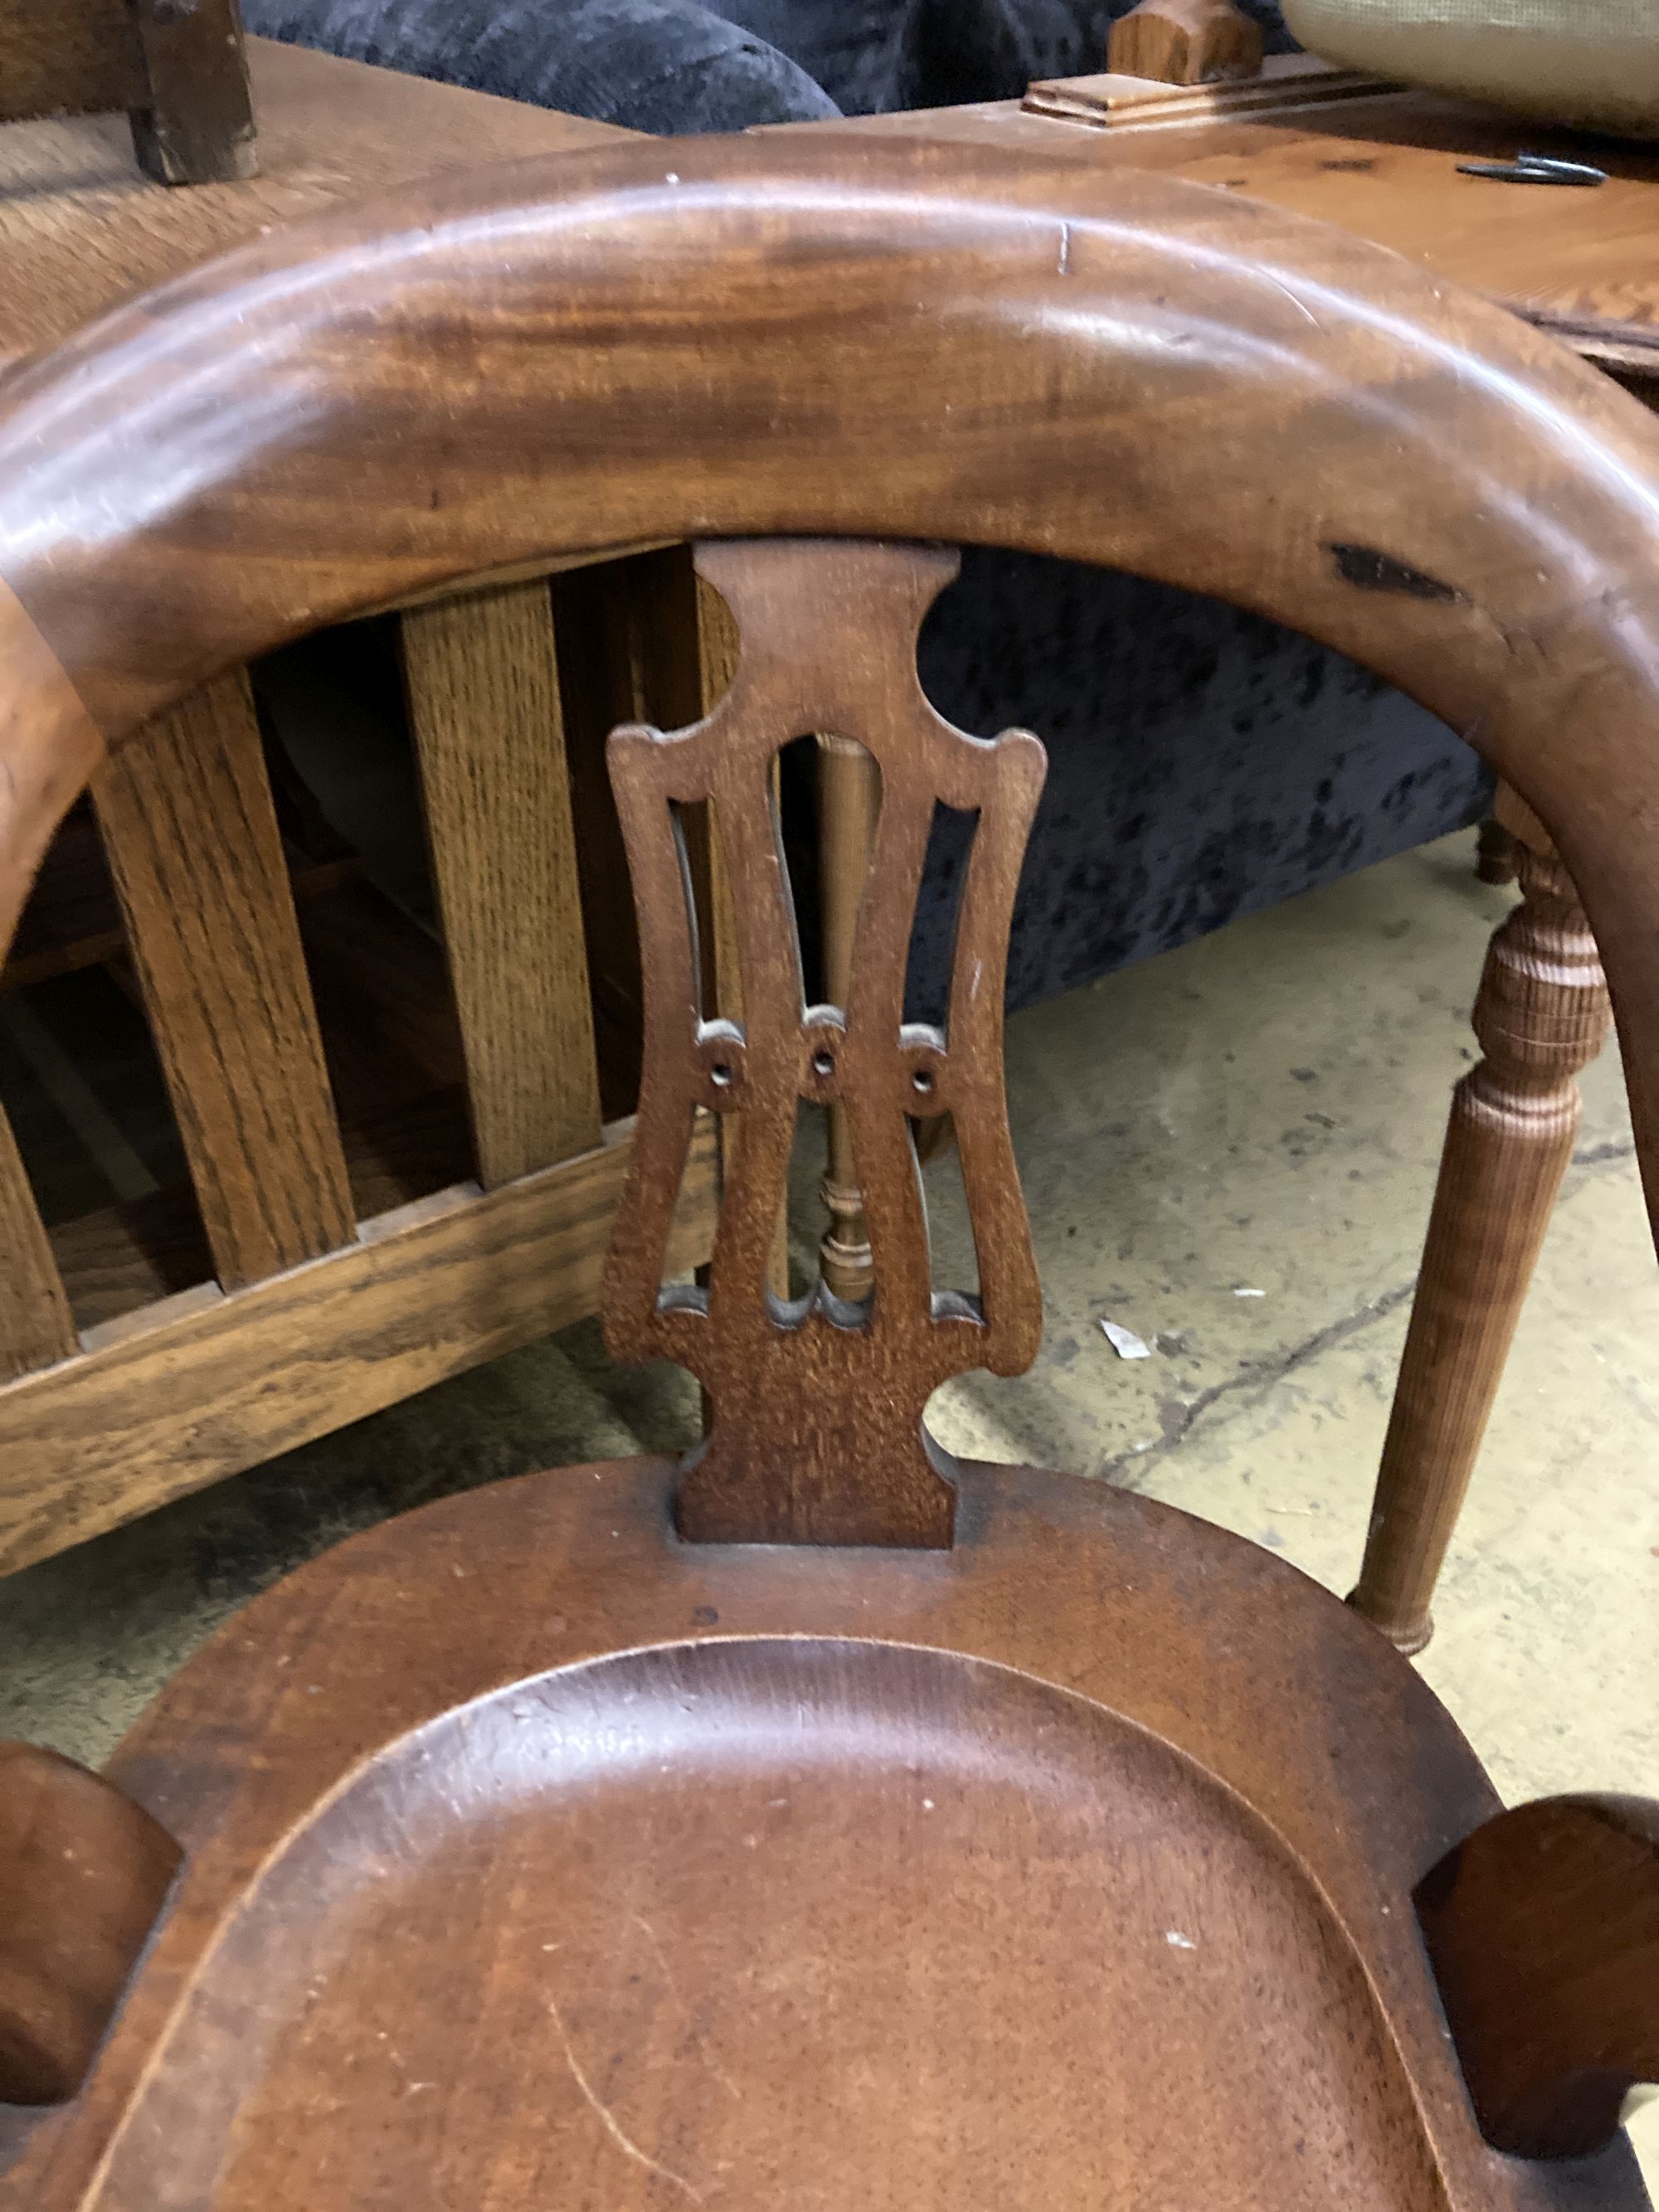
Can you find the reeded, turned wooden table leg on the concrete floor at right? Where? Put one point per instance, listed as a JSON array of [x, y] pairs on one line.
[[1543, 1014]]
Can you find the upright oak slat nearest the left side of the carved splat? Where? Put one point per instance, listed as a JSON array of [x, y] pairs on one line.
[[486, 709]]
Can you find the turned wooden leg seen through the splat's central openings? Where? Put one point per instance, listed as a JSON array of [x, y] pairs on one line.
[[848, 806]]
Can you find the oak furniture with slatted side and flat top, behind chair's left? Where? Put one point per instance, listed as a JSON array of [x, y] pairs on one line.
[[366, 1125]]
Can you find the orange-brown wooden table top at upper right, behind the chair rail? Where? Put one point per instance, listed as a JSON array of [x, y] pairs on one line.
[[1578, 260]]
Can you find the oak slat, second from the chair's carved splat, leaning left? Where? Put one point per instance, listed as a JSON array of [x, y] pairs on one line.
[[198, 864]]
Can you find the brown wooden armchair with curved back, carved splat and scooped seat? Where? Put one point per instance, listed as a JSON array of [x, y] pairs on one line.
[[820, 1822]]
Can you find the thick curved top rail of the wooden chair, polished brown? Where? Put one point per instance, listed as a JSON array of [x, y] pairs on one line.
[[800, 337]]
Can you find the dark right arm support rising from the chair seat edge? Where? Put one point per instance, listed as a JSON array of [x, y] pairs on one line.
[[1545, 1939]]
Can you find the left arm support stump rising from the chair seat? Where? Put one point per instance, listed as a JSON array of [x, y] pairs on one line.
[[83, 1879]]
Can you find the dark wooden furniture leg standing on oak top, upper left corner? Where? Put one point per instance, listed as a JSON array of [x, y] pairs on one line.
[[178, 72]]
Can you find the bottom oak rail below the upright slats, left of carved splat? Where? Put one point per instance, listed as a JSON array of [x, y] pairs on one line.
[[160, 1406]]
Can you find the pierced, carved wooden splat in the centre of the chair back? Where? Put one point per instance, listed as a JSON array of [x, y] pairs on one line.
[[817, 1432]]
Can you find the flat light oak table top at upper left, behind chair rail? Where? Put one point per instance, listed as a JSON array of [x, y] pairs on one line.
[[83, 229]]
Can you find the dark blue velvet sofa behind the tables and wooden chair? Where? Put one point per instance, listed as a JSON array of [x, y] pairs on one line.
[[1202, 762]]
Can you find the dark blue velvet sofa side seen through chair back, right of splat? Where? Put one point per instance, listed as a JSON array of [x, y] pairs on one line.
[[1202, 764]]
